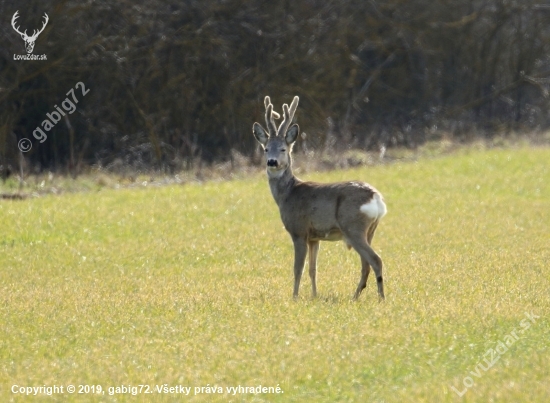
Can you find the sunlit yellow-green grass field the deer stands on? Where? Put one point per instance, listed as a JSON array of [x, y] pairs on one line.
[[191, 285]]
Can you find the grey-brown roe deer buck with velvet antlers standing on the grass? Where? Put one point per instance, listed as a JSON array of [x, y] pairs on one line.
[[313, 212]]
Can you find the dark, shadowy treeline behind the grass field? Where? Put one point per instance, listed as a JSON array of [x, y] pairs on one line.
[[172, 81]]
